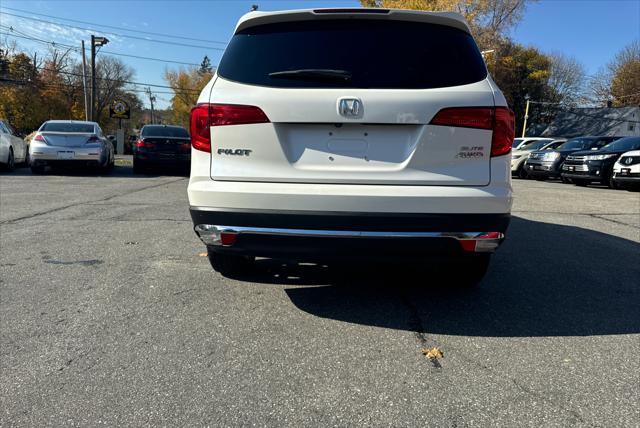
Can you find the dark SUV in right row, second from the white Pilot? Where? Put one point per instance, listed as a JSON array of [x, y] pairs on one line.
[[548, 163]]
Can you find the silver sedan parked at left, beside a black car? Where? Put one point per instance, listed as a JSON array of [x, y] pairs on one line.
[[71, 143]]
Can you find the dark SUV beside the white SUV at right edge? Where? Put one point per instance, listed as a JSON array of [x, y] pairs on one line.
[[588, 166]]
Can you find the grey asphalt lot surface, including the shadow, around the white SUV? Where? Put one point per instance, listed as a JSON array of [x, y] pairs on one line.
[[110, 315]]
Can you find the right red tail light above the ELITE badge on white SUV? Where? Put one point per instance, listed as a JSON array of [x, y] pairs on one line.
[[499, 119]]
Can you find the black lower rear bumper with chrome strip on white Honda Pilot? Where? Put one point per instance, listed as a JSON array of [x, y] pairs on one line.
[[320, 235]]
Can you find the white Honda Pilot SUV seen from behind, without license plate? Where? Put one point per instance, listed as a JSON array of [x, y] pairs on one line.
[[340, 133]]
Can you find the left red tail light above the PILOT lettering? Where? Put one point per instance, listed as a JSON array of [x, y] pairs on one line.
[[204, 116]]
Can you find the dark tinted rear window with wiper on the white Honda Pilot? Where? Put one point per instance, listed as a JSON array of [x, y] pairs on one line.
[[370, 53]]
